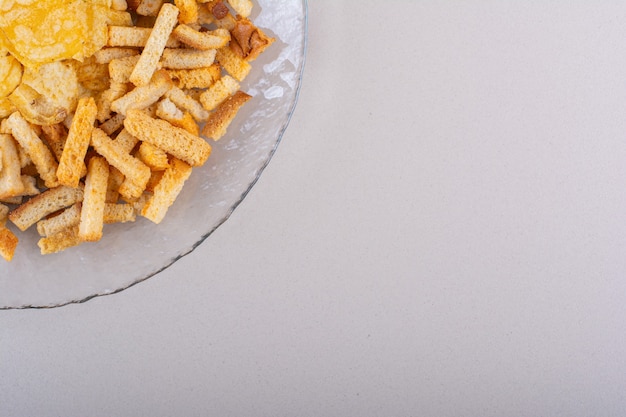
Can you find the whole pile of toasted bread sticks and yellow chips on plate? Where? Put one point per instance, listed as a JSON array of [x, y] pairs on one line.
[[110, 129]]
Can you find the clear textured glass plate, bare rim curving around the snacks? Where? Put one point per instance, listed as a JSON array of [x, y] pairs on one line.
[[133, 252]]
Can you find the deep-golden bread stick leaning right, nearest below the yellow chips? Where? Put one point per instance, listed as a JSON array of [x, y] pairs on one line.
[[72, 162]]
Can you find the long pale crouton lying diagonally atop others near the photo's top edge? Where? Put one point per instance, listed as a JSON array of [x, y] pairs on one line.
[[149, 59]]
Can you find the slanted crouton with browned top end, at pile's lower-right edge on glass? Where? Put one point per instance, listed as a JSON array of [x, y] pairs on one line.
[[166, 191]]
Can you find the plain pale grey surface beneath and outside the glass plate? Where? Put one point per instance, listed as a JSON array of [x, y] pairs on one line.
[[441, 233]]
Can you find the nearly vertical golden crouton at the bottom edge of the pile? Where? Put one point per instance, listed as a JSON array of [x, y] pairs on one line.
[[92, 211]]
